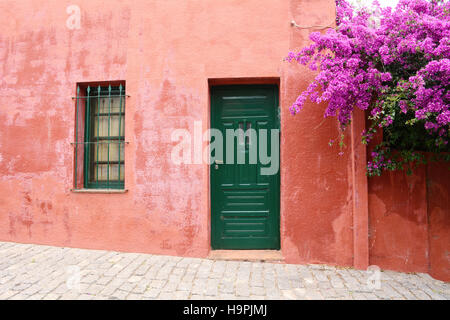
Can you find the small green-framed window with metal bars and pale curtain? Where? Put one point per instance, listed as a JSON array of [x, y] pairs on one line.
[[104, 156]]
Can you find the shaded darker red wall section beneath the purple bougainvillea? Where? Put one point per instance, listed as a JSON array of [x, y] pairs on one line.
[[410, 221]]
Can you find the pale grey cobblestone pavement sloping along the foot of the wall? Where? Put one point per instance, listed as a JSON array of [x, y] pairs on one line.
[[44, 272]]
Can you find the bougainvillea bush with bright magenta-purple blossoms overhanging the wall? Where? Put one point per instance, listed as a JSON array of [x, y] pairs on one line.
[[393, 63]]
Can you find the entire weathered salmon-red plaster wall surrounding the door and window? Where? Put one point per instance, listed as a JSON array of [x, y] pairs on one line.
[[166, 51]]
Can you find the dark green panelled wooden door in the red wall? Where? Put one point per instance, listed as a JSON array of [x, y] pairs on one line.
[[244, 202]]
